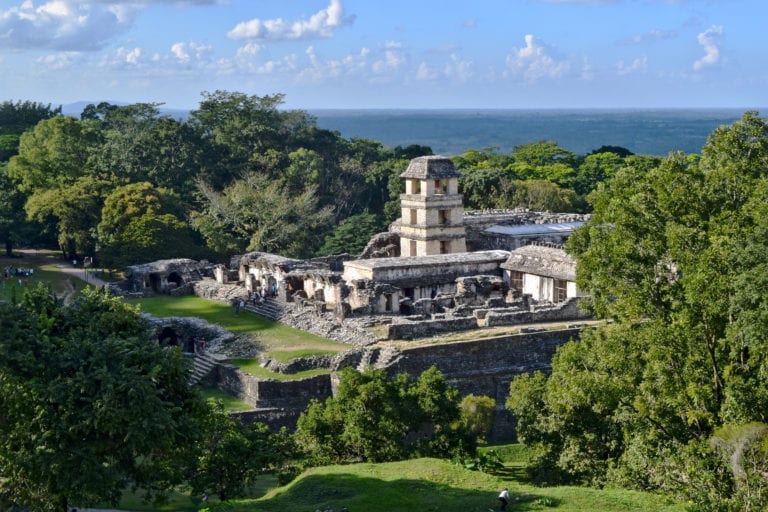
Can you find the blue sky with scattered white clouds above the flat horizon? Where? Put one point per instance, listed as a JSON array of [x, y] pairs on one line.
[[390, 53]]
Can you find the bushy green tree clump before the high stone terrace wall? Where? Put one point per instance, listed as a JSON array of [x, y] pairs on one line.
[[376, 419]]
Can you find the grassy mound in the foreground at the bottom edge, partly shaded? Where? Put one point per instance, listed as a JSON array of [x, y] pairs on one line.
[[436, 485]]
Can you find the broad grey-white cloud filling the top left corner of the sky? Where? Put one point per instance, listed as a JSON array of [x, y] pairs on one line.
[[61, 25]]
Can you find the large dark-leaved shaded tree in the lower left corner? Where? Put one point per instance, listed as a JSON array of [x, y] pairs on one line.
[[89, 403]]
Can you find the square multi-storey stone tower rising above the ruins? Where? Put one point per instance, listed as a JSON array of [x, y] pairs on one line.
[[432, 208]]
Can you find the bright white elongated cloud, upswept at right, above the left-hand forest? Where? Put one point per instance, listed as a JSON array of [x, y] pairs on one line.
[[320, 25]]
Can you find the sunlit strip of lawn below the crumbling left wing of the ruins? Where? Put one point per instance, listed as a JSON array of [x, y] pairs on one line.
[[275, 338]]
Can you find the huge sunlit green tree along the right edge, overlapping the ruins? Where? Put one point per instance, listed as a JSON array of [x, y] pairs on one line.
[[675, 255]]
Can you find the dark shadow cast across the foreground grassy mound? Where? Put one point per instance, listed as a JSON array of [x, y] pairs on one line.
[[332, 492]]
